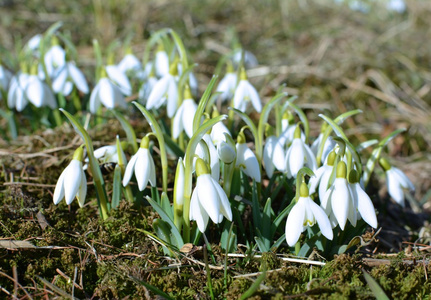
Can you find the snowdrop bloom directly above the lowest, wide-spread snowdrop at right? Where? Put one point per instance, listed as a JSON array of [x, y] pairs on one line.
[[298, 155]]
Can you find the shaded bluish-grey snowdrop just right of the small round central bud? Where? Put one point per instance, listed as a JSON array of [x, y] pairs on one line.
[[246, 160]]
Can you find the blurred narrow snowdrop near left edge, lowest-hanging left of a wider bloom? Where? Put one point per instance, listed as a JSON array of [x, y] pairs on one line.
[[16, 94]]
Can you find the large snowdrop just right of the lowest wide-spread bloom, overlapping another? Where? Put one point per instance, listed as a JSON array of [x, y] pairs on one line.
[[338, 202]]
